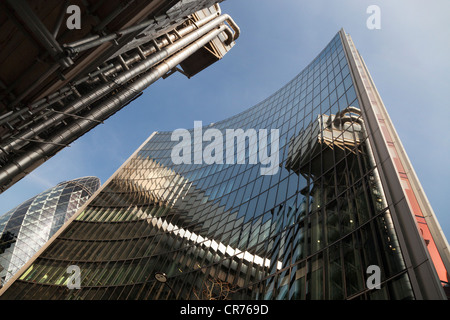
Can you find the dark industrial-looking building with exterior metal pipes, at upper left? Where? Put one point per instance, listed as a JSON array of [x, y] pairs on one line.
[[57, 85]]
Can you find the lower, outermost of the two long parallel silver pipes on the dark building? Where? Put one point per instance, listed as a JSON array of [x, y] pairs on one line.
[[111, 105]]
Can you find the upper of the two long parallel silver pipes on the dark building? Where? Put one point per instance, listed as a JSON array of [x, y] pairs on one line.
[[104, 89]]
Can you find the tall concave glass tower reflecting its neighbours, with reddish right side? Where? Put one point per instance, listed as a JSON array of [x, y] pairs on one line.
[[342, 205]]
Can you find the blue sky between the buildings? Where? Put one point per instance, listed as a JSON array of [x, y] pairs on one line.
[[407, 58]]
